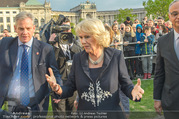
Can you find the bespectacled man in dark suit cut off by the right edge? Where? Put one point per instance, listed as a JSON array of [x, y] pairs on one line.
[[166, 81]]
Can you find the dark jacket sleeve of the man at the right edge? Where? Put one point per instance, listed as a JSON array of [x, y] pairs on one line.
[[159, 78]]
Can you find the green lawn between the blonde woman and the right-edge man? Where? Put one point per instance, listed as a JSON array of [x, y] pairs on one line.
[[145, 108]]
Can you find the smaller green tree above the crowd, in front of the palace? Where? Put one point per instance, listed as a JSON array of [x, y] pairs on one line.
[[123, 13]]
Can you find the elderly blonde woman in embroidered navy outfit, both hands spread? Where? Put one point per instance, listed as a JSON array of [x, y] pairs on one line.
[[97, 73]]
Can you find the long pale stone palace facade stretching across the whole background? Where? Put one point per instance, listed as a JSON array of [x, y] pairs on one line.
[[43, 13]]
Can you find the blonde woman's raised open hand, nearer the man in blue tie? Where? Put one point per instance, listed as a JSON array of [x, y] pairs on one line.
[[52, 82]]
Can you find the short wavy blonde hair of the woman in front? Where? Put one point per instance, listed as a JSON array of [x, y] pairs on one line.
[[94, 27]]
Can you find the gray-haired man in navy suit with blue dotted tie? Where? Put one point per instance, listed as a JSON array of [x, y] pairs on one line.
[[24, 63]]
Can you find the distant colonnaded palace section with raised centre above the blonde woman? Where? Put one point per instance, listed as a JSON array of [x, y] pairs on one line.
[[89, 10]]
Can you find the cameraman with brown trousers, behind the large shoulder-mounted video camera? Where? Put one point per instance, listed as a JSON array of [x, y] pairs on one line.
[[64, 56]]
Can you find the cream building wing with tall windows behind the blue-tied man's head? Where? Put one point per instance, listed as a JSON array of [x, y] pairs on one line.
[[10, 8]]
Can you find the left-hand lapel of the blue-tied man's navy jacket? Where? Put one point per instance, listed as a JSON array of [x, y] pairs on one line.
[[13, 53]]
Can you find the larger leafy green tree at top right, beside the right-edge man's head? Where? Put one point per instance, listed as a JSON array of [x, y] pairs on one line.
[[157, 8]]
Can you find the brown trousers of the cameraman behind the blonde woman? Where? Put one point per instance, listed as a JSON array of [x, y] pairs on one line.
[[65, 106]]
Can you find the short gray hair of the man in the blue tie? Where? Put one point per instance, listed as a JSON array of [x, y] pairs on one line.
[[23, 15]]
